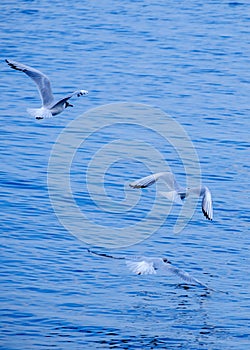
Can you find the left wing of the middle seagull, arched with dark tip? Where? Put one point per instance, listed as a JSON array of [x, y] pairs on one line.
[[147, 181]]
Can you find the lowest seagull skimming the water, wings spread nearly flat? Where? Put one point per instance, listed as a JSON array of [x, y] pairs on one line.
[[142, 265]]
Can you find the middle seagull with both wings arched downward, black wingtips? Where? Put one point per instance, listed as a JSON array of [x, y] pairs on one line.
[[178, 194]]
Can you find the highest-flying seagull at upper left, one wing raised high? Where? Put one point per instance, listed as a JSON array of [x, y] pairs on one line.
[[50, 107]]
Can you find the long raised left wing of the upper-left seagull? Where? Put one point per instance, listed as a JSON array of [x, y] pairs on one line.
[[39, 78]]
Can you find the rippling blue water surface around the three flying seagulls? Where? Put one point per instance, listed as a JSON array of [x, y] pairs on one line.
[[191, 60]]
